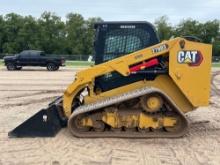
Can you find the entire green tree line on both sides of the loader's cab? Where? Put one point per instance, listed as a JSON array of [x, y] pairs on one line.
[[75, 35]]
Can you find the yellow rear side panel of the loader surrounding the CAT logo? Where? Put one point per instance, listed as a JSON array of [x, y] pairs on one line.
[[194, 81]]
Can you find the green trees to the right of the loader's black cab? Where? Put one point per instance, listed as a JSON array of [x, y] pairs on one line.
[[207, 32]]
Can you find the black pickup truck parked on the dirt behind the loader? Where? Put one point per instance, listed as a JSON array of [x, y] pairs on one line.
[[33, 58]]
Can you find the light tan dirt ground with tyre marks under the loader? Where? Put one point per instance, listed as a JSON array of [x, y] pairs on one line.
[[23, 93]]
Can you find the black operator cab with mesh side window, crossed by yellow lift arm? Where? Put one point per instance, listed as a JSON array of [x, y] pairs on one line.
[[115, 39]]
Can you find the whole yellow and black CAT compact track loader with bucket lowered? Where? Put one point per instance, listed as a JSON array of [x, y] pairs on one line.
[[139, 87]]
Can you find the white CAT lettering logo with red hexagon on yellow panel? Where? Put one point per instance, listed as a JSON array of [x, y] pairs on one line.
[[191, 57]]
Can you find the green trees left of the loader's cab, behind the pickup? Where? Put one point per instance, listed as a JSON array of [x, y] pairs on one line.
[[49, 33]]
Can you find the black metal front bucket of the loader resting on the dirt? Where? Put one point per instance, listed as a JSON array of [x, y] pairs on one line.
[[45, 123]]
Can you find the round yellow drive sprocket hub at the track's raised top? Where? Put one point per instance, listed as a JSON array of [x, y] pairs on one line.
[[152, 103]]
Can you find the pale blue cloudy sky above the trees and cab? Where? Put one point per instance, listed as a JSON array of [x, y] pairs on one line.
[[118, 10]]
